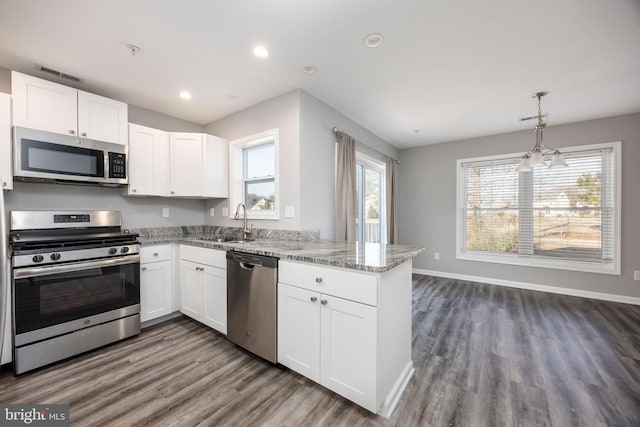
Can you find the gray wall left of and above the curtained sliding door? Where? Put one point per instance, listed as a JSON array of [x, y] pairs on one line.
[[317, 160]]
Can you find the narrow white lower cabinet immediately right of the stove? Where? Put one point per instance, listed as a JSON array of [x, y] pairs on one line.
[[156, 282]]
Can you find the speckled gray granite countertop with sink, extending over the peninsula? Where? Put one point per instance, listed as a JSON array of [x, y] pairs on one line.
[[372, 257]]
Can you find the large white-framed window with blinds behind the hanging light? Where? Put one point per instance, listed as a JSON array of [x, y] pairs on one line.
[[566, 218]]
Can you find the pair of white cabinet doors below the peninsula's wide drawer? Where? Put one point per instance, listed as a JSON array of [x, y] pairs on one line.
[[329, 340]]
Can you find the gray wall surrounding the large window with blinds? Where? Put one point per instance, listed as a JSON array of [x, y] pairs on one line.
[[427, 203]]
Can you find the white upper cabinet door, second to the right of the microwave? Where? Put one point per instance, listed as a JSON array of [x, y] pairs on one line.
[[185, 151]]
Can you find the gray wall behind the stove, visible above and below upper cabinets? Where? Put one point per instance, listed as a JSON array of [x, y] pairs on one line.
[[136, 212]]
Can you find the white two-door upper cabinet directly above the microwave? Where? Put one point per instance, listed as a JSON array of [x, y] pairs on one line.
[[41, 104]]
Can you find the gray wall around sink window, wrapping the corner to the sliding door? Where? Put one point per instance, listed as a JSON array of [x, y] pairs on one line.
[[307, 157]]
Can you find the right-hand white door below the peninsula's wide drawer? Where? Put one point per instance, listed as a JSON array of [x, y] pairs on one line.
[[349, 350]]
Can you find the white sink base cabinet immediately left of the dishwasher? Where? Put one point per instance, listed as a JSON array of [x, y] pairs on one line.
[[203, 286]]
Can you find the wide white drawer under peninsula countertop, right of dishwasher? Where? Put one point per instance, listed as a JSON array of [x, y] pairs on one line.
[[351, 285]]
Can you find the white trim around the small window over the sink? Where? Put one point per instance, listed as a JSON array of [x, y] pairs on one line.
[[237, 172]]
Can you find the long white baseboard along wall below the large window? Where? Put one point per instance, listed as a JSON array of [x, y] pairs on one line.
[[533, 286]]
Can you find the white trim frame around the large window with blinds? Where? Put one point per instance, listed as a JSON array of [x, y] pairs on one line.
[[543, 262]]
